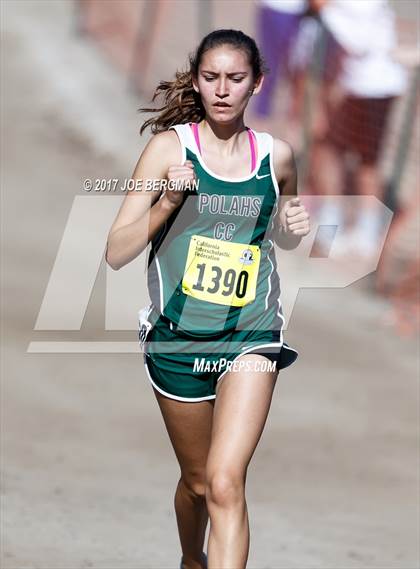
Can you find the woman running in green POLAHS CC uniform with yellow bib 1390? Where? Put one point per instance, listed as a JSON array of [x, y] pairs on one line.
[[212, 278]]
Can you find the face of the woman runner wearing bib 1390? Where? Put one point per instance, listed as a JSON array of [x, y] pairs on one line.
[[225, 83]]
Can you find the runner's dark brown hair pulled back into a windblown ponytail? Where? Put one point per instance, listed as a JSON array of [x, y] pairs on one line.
[[181, 104]]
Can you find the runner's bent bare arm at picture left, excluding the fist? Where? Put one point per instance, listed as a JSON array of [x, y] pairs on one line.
[[142, 213]]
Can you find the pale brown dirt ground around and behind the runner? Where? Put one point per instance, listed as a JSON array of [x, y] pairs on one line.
[[88, 470]]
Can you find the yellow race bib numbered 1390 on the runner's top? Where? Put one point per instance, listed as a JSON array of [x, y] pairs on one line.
[[221, 272]]
